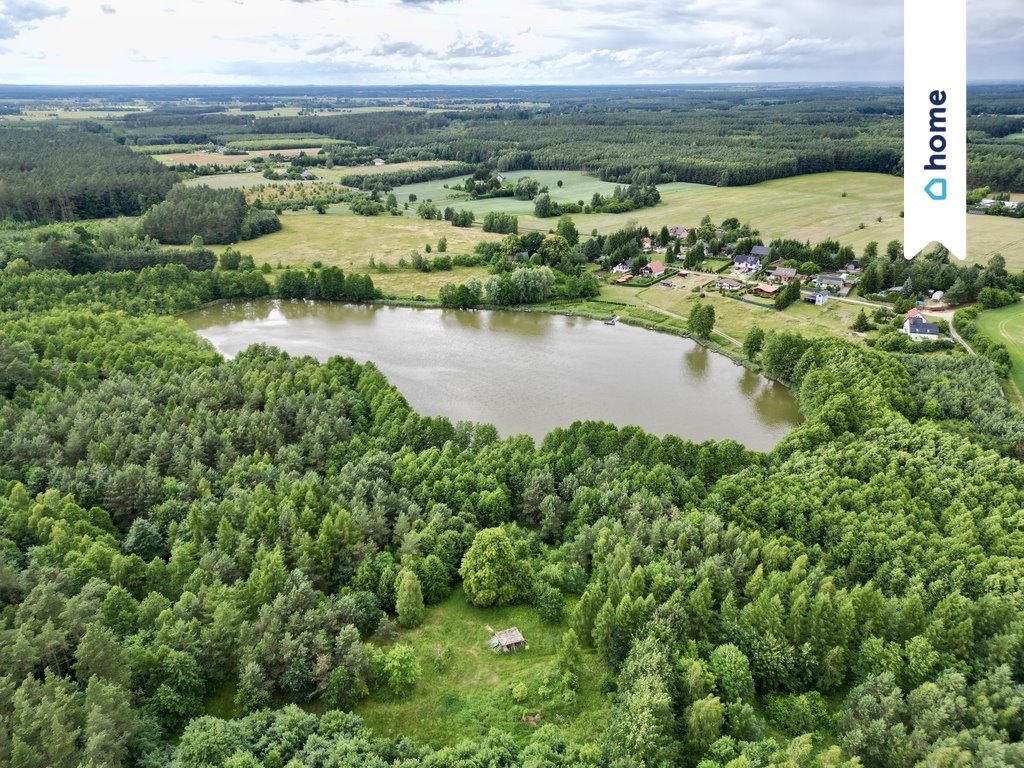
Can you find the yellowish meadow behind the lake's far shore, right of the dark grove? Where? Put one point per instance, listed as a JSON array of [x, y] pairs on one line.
[[343, 239]]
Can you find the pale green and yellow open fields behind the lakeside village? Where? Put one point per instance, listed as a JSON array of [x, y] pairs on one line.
[[805, 208]]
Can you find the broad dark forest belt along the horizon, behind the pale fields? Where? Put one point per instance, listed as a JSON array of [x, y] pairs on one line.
[[727, 138]]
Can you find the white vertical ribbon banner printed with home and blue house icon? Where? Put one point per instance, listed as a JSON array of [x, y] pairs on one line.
[[935, 125]]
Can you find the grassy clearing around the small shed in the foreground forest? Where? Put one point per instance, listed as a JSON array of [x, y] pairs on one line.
[[474, 694]]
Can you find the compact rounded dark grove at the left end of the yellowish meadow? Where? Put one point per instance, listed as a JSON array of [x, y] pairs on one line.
[[215, 216]]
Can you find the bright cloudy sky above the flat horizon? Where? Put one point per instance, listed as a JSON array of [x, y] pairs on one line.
[[389, 42]]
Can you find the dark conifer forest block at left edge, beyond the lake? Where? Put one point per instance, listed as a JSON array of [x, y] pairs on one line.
[[71, 175]]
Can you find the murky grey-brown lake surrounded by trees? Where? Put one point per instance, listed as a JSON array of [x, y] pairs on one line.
[[523, 372]]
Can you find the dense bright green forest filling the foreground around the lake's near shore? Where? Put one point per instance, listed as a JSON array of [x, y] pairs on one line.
[[172, 523]]
